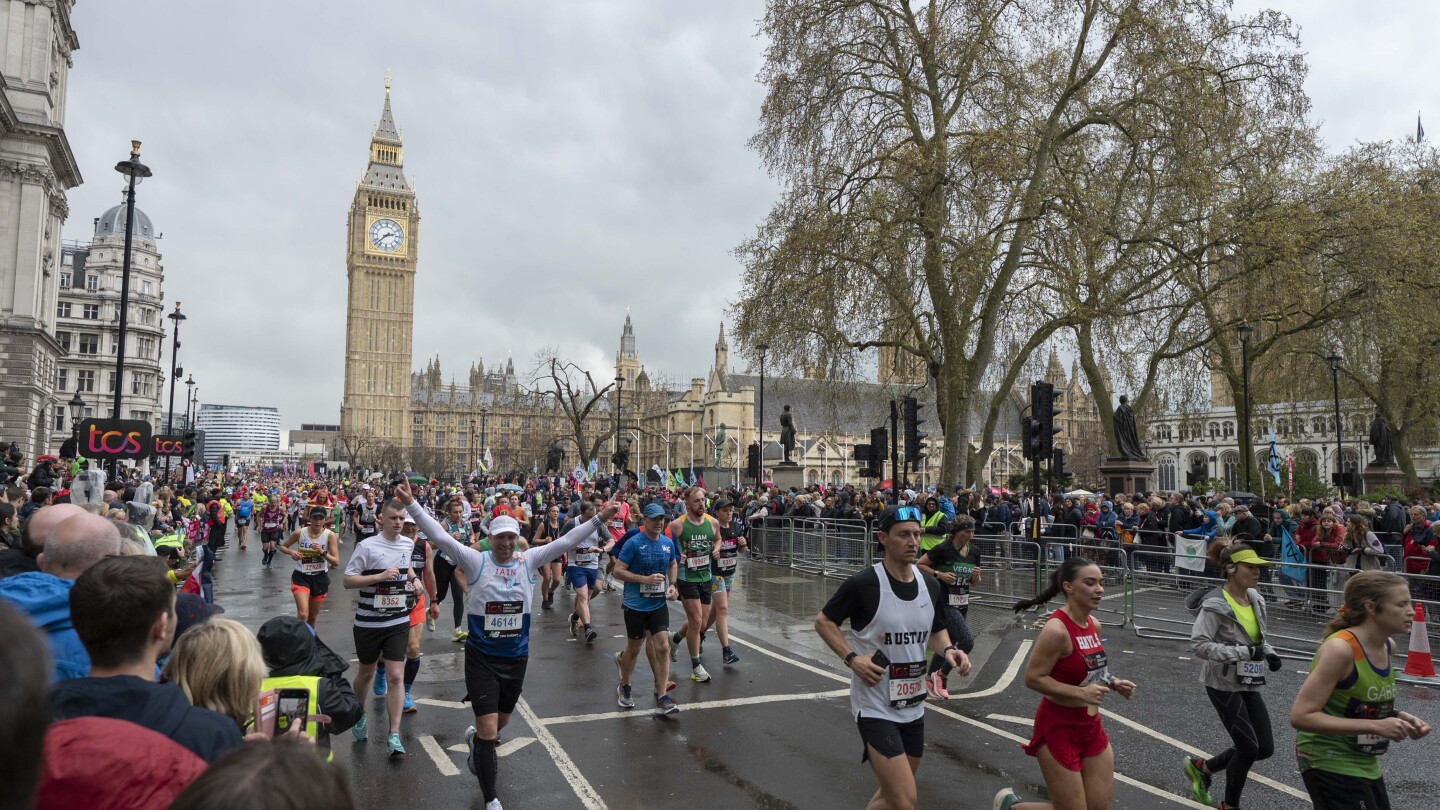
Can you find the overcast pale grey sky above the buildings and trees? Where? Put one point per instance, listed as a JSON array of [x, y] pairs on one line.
[[572, 159]]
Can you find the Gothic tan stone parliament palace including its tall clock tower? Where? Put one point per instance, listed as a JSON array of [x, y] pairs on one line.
[[443, 424]]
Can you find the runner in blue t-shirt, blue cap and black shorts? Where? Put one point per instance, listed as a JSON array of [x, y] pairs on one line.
[[649, 566]]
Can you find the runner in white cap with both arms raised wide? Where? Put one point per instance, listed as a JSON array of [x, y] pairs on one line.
[[499, 646]]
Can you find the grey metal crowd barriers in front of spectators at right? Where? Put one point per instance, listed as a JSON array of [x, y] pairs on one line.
[[1147, 580]]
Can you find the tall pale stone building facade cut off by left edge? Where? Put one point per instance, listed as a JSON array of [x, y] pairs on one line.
[[37, 169]]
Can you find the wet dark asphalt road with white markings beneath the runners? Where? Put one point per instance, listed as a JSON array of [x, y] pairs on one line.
[[775, 731]]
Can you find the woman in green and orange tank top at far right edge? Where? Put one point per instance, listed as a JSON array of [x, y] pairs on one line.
[[1346, 713]]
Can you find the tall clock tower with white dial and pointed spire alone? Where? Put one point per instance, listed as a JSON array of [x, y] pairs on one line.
[[382, 247]]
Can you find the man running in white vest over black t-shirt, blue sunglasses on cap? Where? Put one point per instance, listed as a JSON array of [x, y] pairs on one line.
[[895, 613]]
